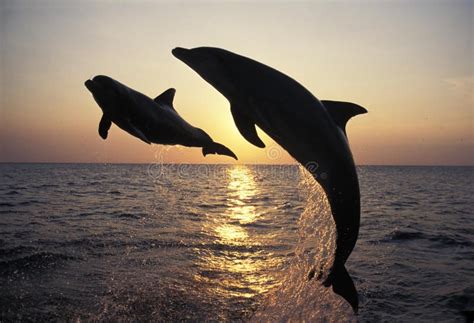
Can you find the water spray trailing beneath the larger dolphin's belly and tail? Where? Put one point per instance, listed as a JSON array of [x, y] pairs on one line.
[[299, 297]]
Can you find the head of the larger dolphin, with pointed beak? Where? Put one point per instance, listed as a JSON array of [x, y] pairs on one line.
[[212, 64]]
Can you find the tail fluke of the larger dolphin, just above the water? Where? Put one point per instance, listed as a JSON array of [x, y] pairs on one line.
[[343, 285]]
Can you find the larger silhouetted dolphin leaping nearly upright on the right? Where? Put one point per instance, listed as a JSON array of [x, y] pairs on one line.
[[312, 131]]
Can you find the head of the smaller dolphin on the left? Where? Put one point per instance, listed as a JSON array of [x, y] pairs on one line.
[[106, 92]]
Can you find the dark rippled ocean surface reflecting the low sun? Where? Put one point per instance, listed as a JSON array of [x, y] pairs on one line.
[[108, 242]]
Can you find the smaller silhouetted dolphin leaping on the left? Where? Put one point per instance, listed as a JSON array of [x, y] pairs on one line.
[[151, 120]]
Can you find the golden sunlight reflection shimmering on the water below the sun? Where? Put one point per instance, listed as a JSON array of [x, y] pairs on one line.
[[244, 274]]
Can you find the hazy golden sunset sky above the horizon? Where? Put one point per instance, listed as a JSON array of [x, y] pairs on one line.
[[410, 63]]
